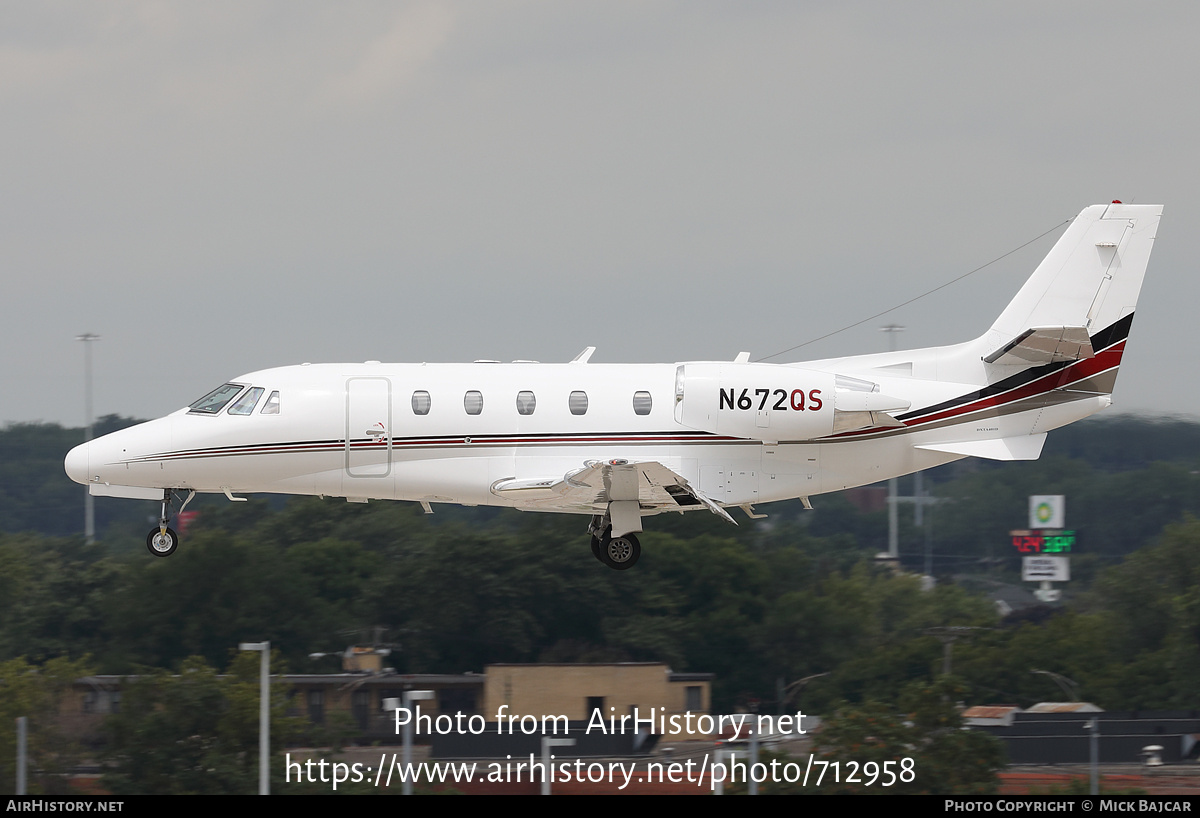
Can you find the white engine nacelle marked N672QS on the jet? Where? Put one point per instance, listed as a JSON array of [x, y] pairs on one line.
[[755, 401]]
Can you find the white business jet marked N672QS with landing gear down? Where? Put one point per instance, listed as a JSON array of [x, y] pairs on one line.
[[625, 442]]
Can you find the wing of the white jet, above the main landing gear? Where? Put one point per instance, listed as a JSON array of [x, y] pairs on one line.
[[591, 489]]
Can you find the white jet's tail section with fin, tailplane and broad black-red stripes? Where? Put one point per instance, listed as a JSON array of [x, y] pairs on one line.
[[1053, 356]]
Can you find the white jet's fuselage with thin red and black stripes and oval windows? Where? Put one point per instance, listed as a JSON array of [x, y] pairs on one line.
[[321, 441]]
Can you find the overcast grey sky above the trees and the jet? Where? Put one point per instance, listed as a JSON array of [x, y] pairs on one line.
[[220, 188]]
